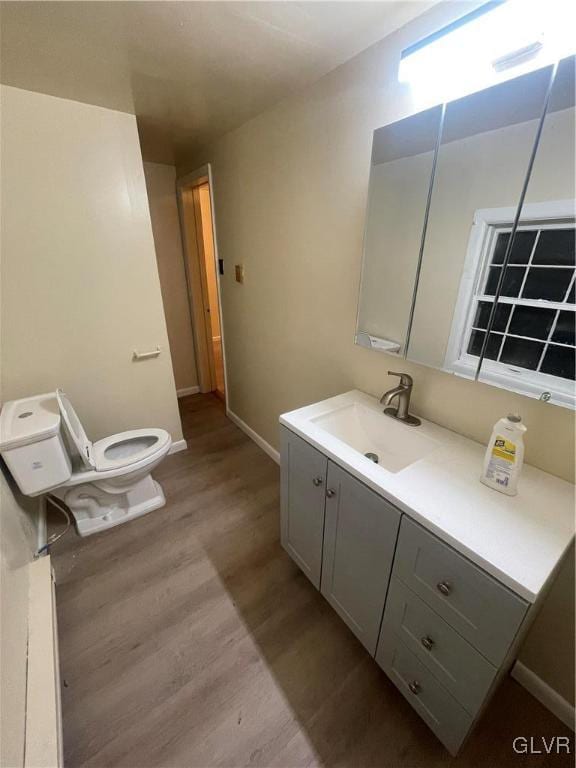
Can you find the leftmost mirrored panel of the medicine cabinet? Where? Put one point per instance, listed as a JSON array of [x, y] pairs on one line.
[[400, 175]]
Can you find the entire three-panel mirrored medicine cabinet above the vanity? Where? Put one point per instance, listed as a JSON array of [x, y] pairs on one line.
[[469, 253]]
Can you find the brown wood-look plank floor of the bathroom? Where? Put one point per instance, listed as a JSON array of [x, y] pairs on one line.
[[188, 638]]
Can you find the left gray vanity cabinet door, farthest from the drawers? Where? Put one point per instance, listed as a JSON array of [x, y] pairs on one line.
[[303, 476]]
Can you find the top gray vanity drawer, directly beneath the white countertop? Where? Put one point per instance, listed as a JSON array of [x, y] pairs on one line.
[[481, 609]]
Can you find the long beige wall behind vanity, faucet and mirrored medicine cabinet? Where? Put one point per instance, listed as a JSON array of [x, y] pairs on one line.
[[290, 197]]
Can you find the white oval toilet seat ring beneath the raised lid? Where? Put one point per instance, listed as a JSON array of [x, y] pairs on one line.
[[127, 448]]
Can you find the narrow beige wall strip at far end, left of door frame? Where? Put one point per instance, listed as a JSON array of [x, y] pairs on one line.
[[160, 183]]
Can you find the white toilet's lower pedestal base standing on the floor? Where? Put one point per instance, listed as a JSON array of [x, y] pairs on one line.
[[95, 509]]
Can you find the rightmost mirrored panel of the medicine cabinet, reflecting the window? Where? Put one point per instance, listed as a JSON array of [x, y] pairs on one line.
[[530, 348]]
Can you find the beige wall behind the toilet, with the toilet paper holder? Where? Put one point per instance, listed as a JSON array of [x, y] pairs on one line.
[[80, 288]]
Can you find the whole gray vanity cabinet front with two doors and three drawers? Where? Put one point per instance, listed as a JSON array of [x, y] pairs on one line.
[[442, 629]]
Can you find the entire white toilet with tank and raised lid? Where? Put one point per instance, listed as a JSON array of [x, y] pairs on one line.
[[104, 483]]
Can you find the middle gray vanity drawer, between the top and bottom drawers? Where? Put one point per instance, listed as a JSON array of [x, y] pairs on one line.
[[463, 671]]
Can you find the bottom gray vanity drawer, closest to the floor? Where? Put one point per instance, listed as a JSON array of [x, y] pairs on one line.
[[439, 710]]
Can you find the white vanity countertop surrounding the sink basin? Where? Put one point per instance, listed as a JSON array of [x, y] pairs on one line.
[[520, 540]]
